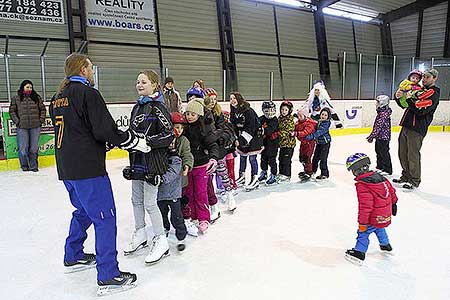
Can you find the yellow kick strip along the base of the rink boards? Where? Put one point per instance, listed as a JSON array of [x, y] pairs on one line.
[[46, 161]]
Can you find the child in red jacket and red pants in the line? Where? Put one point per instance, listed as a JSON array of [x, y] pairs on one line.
[[303, 127]]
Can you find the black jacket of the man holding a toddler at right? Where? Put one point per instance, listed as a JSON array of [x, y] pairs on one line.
[[419, 119]]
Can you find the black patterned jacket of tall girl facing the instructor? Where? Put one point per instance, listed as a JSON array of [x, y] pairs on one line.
[[153, 121]]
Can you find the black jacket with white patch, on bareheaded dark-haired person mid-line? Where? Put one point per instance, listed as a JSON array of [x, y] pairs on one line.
[[247, 127]]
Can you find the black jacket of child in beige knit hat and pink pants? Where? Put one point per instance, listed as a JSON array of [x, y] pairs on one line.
[[203, 142]]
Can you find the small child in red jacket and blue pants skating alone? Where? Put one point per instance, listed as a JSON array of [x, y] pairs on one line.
[[377, 203]]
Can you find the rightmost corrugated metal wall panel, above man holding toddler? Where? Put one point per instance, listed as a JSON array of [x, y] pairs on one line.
[[433, 34]]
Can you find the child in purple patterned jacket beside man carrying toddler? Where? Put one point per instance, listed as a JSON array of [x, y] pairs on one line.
[[381, 132]]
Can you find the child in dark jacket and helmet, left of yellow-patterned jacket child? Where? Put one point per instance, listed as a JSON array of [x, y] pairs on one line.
[[269, 123]]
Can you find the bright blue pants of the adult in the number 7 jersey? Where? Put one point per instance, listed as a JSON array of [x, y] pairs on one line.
[[94, 203]]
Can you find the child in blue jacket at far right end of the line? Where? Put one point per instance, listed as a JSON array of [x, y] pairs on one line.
[[323, 140]]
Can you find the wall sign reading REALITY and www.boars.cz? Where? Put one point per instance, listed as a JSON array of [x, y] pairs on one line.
[[136, 15]]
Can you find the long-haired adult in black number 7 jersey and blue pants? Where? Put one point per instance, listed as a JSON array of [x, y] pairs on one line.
[[83, 127]]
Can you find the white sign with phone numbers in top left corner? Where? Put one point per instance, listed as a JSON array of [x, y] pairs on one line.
[[43, 11]]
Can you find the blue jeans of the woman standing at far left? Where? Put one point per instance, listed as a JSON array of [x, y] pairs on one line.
[[28, 142]]
